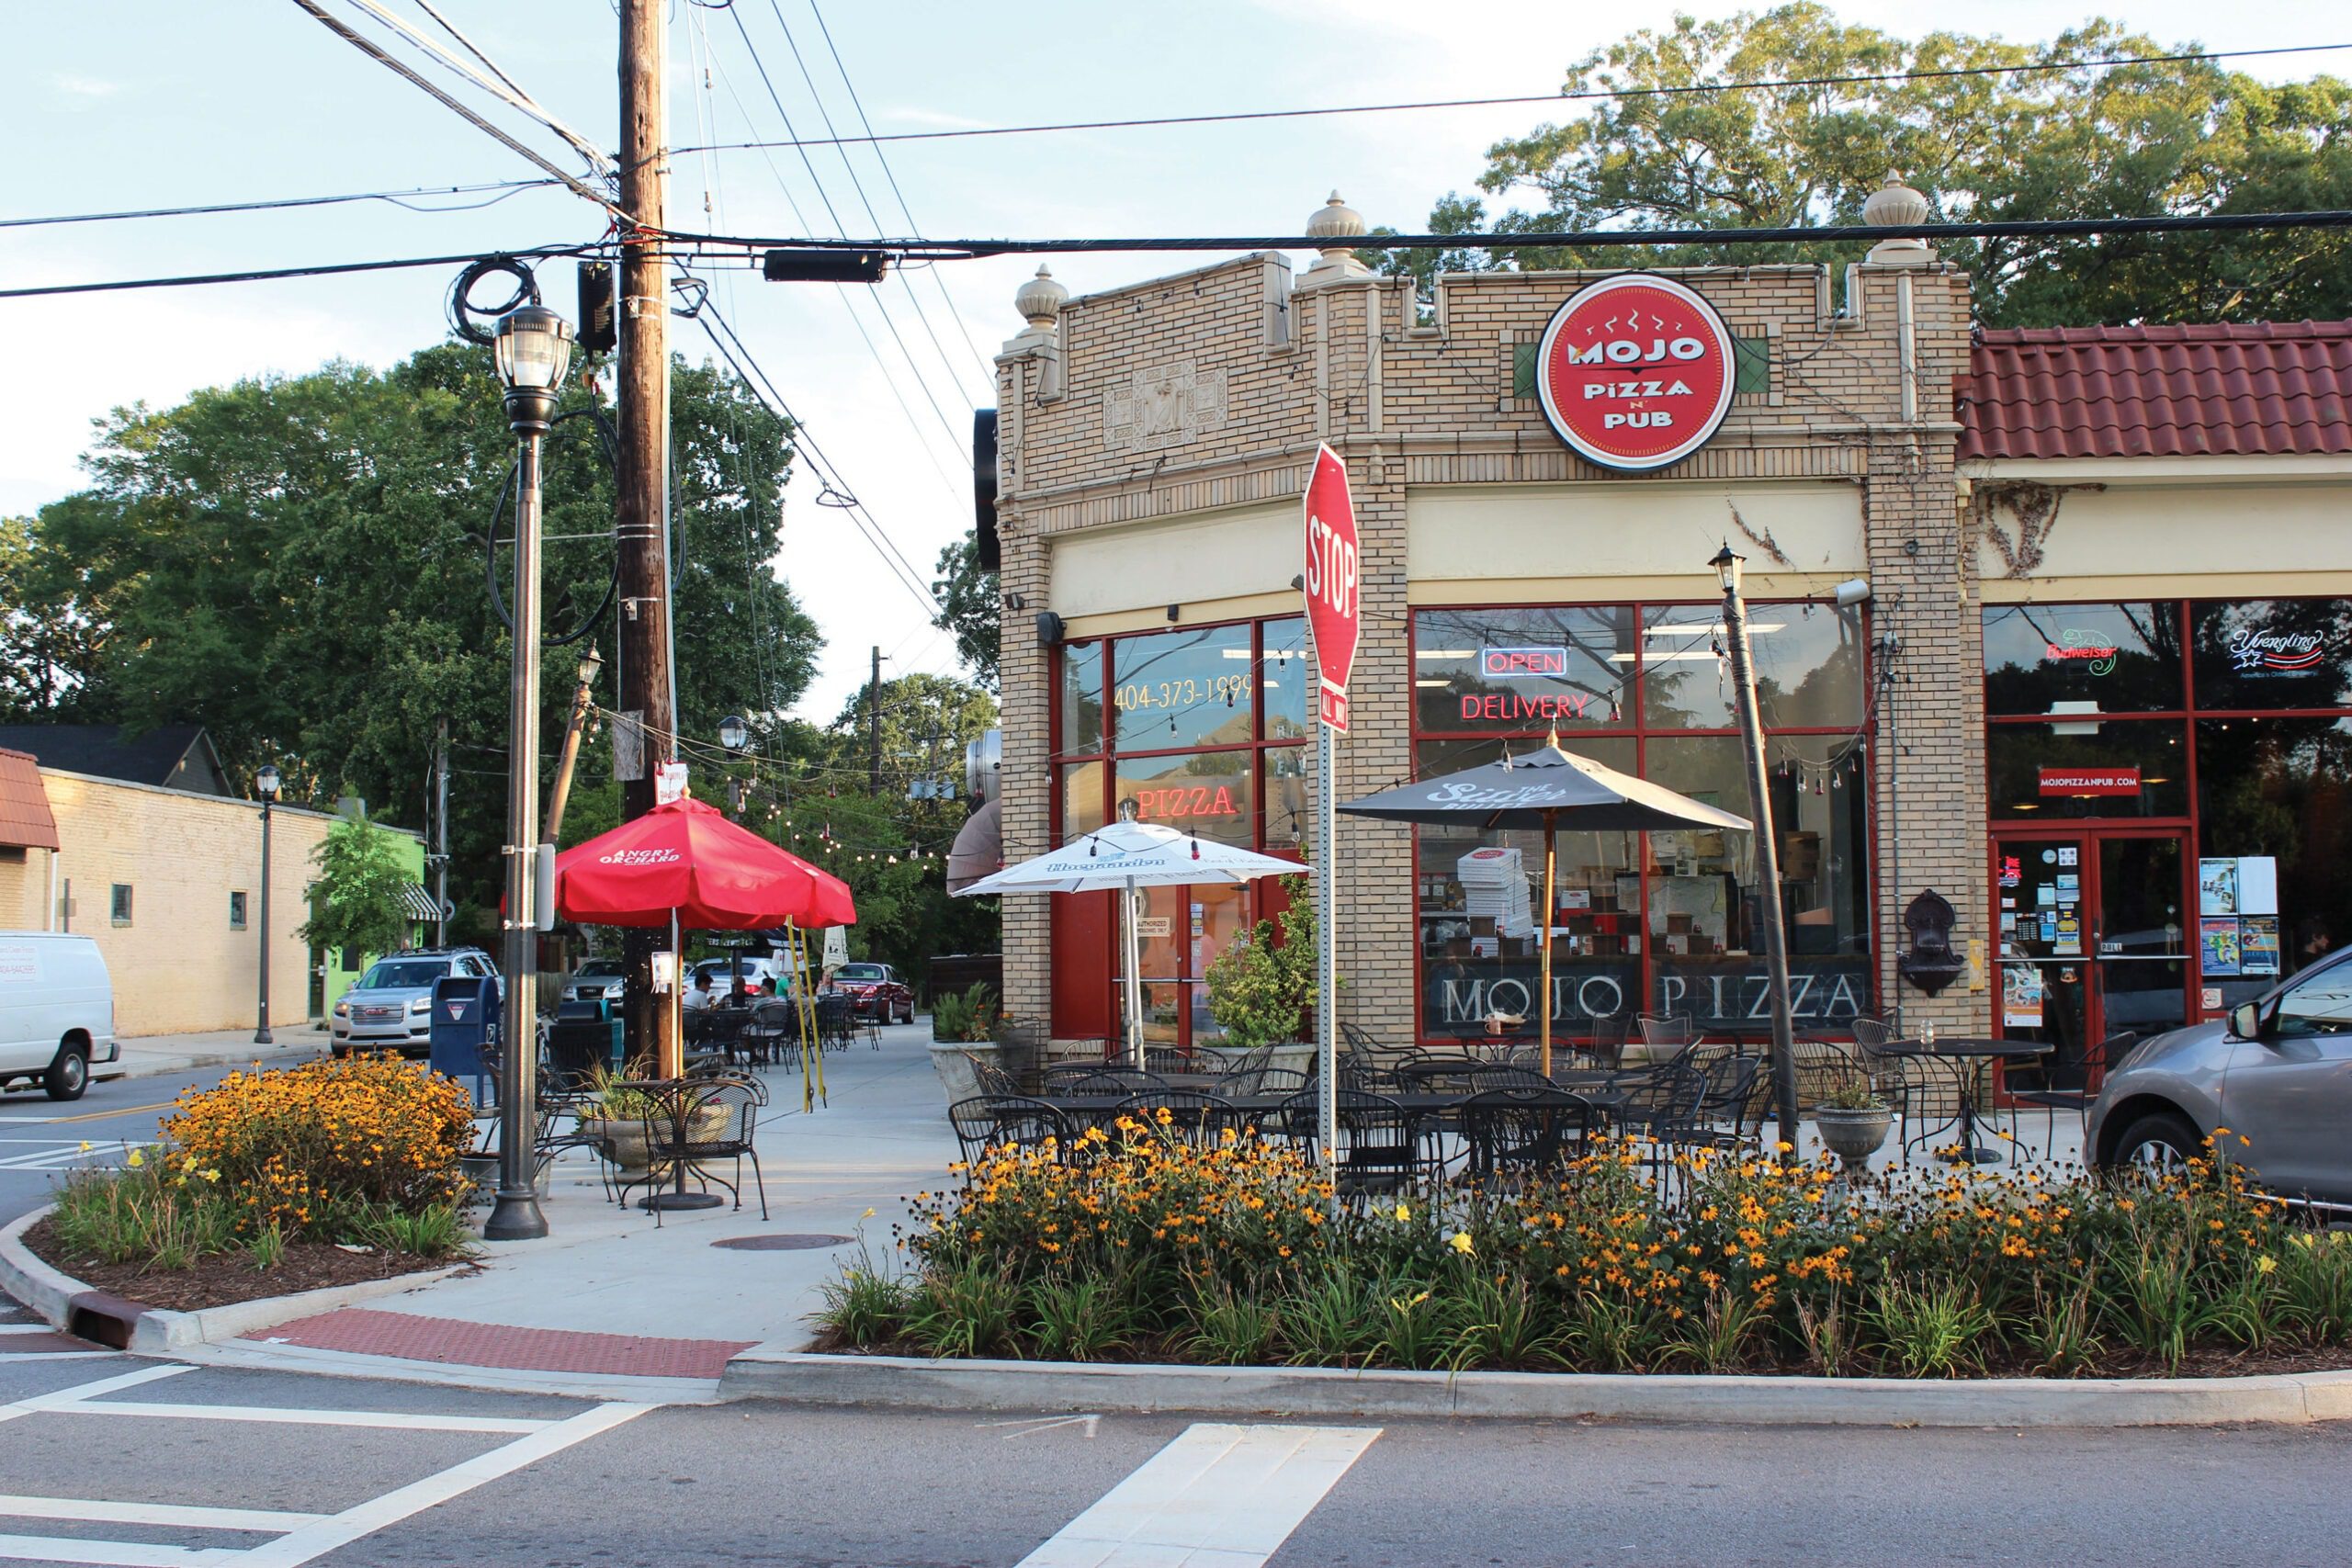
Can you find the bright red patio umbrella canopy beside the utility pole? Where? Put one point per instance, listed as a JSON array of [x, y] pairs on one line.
[[686, 862]]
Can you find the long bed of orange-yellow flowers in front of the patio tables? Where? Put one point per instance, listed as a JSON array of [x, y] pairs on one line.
[[1140, 1247]]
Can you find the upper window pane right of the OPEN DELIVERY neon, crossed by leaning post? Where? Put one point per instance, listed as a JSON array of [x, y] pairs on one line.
[[1808, 659]]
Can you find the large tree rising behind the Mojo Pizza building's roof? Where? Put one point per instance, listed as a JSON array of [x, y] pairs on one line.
[[2080, 140]]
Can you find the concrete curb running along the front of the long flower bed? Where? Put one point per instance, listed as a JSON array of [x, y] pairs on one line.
[[1650, 1398]]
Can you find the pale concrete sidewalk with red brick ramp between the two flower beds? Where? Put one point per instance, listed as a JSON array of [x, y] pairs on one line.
[[613, 1301]]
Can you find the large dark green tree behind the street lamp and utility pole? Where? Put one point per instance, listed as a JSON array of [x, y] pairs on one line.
[[302, 565]]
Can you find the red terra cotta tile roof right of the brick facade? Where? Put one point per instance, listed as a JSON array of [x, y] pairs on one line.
[[2261, 389]]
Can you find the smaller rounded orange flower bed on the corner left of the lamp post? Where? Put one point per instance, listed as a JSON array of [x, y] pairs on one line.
[[321, 1174]]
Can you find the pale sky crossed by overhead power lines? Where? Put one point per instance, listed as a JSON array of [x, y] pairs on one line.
[[173, 102]]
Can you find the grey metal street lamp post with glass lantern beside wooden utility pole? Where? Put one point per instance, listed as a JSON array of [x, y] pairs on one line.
[[533, 351]]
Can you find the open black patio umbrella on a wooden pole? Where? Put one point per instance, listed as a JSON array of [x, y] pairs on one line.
[[1551, 791]]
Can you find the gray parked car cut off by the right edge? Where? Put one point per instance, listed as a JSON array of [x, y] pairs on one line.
[[2276, 1073]]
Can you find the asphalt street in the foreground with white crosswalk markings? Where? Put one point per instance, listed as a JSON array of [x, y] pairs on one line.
[[274, 1470]]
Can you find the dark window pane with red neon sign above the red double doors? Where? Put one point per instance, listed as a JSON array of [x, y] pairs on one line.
[[2116, 657]]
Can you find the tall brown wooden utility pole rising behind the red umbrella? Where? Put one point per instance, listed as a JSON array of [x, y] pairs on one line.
[[643, 389]]
